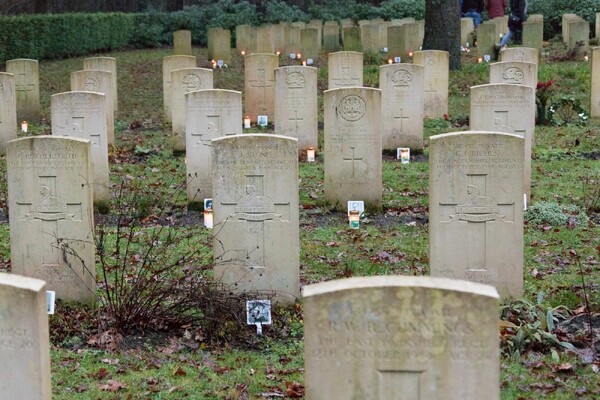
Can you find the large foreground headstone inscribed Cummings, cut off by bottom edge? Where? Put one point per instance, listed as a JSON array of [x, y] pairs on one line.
[[401, 338]]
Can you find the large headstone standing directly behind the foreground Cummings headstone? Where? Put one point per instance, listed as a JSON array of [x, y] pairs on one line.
[[476, 209]]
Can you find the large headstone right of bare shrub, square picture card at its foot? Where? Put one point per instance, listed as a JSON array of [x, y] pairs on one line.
[[255, 200]]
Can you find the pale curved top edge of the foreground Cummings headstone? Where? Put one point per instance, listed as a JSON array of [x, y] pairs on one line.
[[424, 282]]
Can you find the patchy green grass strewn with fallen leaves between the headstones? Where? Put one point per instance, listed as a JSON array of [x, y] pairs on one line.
[[561, 262]]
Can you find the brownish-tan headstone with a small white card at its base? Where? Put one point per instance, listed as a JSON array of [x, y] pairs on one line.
[[259, 85]]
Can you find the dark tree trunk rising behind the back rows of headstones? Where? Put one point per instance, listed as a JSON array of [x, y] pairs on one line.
[[442, 29]]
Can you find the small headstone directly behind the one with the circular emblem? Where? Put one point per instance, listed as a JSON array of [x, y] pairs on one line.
[[345, 69]]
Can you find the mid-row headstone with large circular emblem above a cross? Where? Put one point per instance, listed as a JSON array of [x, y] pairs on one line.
[[353, 165]]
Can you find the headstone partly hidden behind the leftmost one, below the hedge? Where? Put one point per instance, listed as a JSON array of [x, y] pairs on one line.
[[27, 87]]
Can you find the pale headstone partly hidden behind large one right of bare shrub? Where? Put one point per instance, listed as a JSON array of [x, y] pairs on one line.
[[210, 114]]
